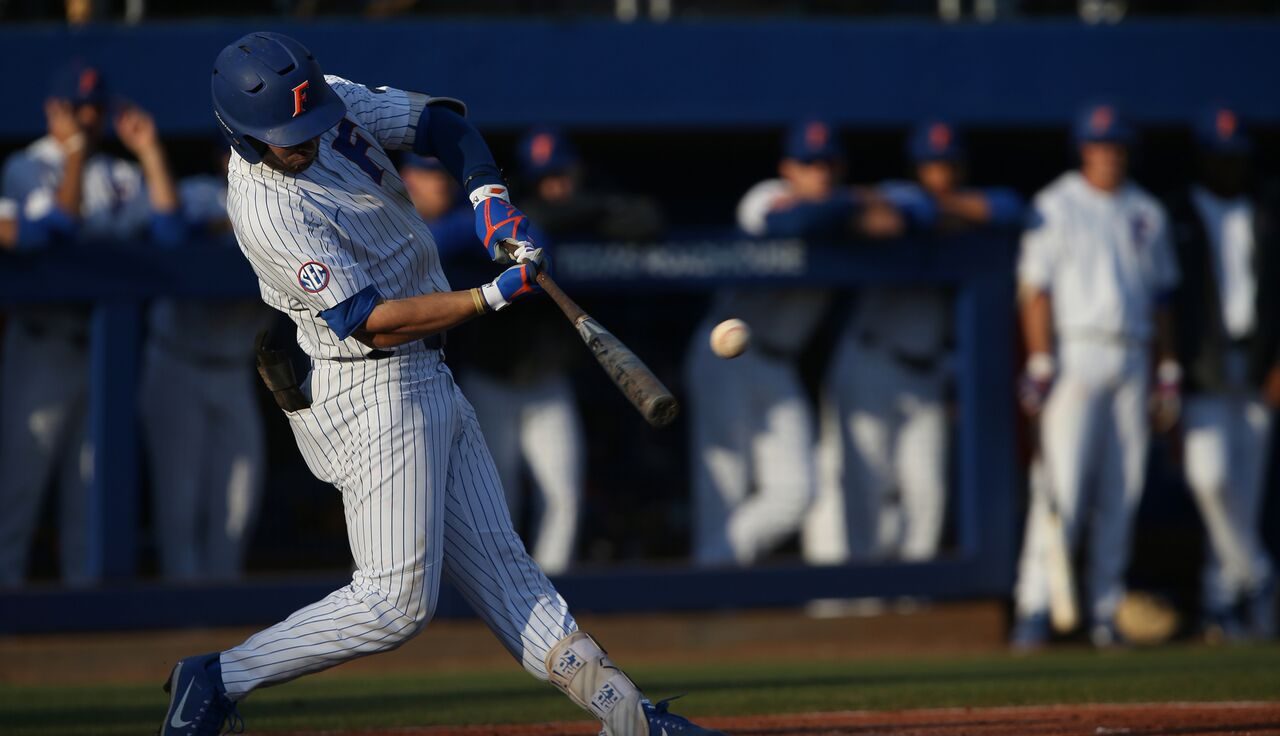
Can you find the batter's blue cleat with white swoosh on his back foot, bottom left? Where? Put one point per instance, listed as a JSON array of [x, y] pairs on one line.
[[198, 701]]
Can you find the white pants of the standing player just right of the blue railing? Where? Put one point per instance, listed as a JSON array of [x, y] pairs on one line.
[[1094, 444]]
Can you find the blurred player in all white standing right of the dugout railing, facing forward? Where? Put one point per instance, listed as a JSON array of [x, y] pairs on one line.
[[1095, 276]]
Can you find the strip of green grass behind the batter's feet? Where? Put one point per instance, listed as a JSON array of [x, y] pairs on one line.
[[340, 702]]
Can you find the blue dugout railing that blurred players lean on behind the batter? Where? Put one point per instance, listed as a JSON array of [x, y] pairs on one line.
[[120, 281]]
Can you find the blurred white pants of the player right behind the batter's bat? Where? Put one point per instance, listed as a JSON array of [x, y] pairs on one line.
[[537, 427]]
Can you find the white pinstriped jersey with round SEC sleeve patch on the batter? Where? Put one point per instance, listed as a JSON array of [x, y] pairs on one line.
[[344, 225]]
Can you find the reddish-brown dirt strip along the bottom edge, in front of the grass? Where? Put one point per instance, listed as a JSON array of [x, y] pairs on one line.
[[1156, 720]]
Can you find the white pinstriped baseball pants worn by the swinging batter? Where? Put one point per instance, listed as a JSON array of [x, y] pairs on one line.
[[422, 499]]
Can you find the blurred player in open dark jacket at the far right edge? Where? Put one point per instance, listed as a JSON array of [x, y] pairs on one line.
[[1228, 322]]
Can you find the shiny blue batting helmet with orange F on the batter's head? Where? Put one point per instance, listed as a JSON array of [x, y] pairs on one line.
[[269, 90]]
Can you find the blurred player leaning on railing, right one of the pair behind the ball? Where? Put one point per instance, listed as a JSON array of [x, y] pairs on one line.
[[890, 372]]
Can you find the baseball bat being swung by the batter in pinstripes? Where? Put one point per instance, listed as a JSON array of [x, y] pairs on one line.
[[655, 403]]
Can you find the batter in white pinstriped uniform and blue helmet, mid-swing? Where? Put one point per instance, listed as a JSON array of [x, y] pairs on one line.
[[324, 220]]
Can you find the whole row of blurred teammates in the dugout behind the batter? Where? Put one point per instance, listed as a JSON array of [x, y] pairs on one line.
[[1139, 314]]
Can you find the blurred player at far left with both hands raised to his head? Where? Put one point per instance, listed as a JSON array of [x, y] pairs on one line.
[[66, 188]]
